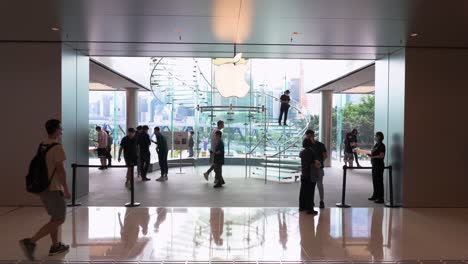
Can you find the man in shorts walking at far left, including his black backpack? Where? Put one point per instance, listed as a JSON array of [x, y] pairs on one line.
[[47, 179]]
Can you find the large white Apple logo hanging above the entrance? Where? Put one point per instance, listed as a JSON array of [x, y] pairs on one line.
[[230, 77]]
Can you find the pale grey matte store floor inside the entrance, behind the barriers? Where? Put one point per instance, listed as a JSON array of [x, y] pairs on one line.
[[191, 190]]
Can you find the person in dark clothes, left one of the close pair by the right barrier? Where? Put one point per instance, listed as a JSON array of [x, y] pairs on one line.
[[310, 172]]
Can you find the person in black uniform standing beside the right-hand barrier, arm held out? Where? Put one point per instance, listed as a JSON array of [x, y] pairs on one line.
[[377, 159]]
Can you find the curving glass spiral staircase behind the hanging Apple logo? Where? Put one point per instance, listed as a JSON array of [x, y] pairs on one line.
[[251, 132]]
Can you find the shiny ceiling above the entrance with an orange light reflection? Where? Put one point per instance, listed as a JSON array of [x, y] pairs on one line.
[[327, 29]]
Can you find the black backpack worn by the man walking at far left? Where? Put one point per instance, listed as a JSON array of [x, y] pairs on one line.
[[37, 179]]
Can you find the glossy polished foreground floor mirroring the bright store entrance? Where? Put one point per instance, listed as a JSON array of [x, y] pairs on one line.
[[245, 234]]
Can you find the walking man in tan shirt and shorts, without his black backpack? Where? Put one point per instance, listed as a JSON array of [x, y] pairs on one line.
[[53, 198]]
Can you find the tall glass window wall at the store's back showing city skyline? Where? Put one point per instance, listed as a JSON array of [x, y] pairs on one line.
[[184, 97]]
